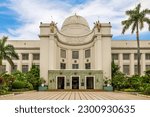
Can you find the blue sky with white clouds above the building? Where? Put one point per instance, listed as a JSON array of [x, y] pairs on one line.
[[20, 19]]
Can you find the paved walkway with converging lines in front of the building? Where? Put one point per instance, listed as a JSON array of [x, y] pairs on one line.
[[73, 95]]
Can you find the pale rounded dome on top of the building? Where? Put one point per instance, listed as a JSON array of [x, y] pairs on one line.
[[75, 26]]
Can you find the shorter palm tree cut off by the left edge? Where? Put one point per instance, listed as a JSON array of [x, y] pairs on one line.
[[7, 51]]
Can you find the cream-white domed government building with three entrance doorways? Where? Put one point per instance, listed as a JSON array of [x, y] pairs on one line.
[[77, 57]]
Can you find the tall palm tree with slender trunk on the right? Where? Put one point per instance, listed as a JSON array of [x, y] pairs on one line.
[[136, 20]]
